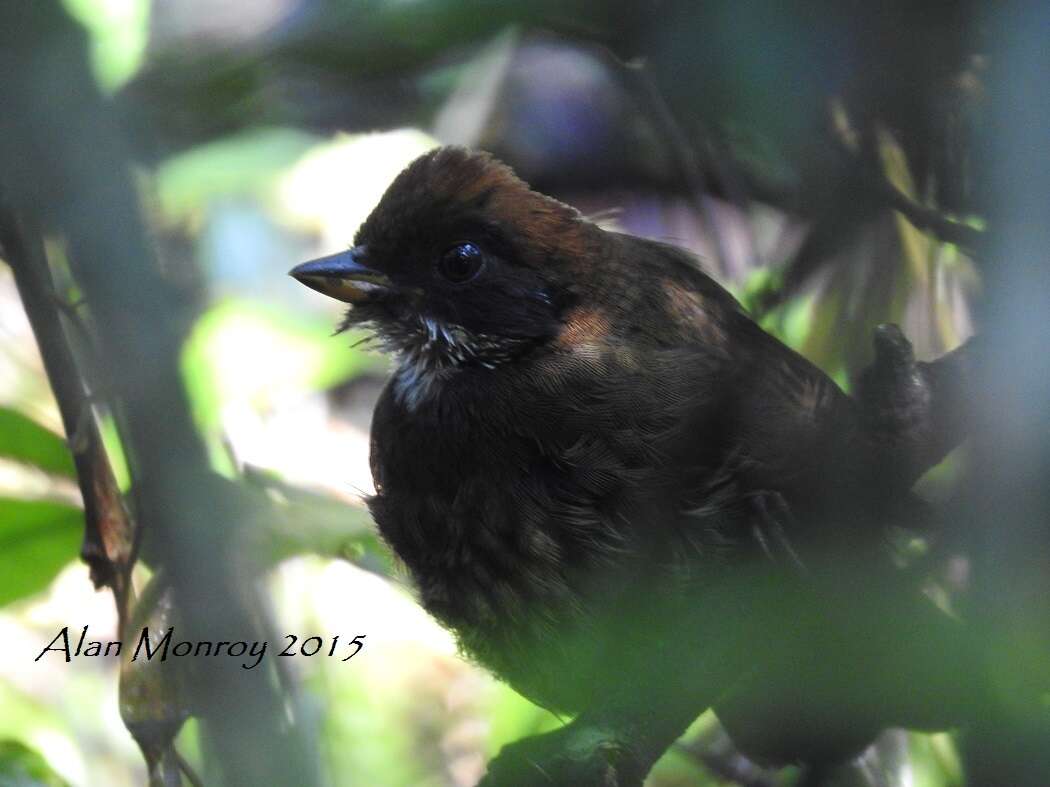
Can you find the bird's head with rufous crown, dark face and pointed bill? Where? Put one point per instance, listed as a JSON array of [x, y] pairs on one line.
[[460, 264]]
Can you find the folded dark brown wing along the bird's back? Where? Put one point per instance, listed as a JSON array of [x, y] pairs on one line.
[[787, 436]]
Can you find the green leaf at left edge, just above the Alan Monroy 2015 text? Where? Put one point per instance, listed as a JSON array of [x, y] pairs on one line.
[[37, 539]]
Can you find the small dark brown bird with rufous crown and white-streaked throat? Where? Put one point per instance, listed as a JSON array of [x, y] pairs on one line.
[[585, 448]]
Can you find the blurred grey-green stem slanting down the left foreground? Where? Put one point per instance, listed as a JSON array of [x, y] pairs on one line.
[[65, 163]]
